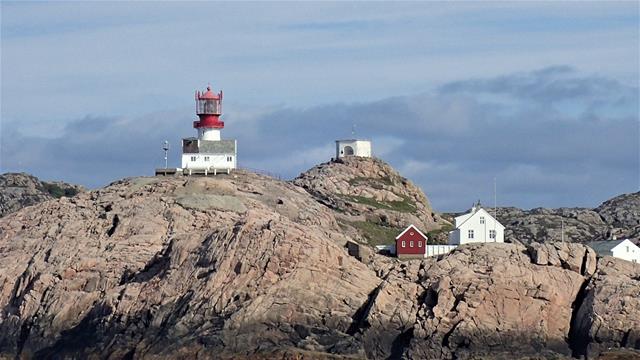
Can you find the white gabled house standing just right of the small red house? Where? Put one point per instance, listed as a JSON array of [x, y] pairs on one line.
[[476, 226]]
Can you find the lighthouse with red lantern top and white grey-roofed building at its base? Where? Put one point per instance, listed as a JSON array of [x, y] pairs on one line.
[[208, 153]]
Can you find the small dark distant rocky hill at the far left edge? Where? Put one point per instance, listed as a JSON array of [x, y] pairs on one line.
[[18, 190]]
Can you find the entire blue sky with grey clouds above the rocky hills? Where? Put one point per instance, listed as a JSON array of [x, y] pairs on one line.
[[541, 98]]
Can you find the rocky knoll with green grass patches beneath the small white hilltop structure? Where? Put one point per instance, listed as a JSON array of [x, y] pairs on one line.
[[373, 203]]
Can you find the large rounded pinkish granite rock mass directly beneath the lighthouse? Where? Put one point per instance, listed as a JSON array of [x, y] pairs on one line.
[[129, 270]]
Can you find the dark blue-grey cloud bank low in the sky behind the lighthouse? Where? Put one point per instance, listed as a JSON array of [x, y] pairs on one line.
[[542, 150]]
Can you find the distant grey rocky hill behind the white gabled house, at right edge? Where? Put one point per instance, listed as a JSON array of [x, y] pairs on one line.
[[619, 217]]
